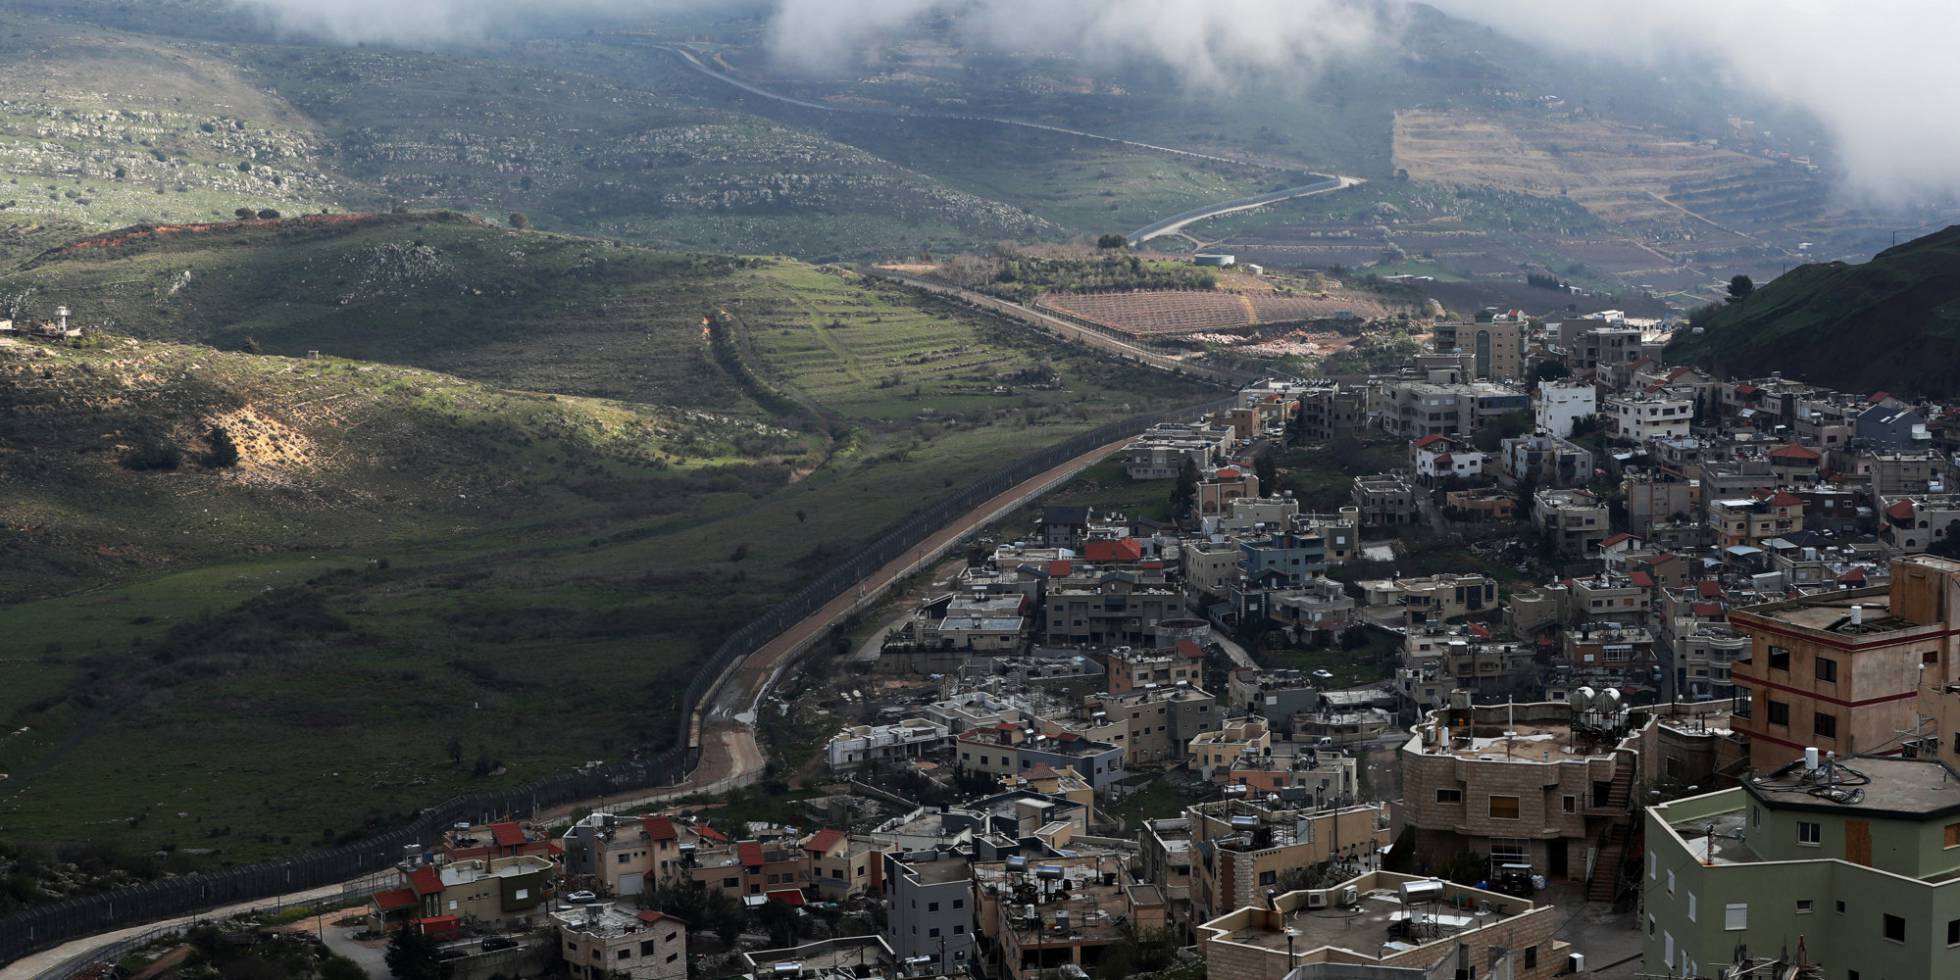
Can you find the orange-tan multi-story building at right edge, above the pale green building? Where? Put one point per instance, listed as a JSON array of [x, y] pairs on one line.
[[1839, 671]]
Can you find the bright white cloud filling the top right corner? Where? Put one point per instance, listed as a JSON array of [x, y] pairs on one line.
[[1879, 77]]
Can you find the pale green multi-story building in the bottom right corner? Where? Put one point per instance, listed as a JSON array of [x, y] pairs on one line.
[[1855, 863]]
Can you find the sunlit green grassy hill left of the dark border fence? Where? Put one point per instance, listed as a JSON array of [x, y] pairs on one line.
[[522, 536]]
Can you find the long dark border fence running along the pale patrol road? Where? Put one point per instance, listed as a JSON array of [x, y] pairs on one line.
[[46, 926]]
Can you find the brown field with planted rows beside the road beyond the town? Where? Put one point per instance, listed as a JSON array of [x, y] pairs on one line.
[[1199, 313]]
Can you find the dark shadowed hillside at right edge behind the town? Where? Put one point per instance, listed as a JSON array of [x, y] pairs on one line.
[[1888, 324]]
